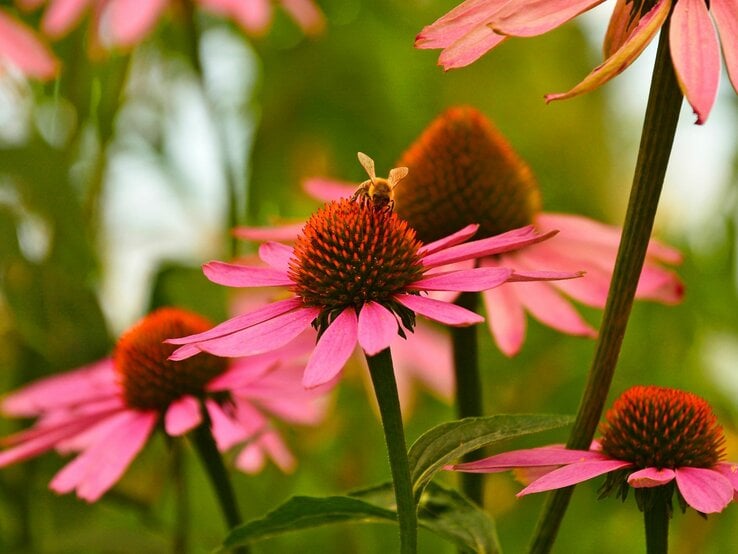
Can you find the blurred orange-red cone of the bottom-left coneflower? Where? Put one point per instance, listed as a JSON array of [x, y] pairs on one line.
[[149, 380]]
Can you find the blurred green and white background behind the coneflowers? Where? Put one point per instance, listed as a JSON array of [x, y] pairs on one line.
[[113, 191]]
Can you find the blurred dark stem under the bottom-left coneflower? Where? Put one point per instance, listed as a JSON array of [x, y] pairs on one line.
[[202, 439]]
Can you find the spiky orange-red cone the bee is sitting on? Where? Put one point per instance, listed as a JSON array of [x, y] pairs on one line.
[[351, 252]]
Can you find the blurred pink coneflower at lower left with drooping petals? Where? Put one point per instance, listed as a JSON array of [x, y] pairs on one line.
[[106, 411]]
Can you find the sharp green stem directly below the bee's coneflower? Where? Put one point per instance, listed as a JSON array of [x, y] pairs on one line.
[[385, 388]]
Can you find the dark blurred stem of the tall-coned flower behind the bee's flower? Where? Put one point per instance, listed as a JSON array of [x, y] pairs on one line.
[[468, 388]]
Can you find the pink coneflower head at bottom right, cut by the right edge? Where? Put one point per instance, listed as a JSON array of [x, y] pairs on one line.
[[653, 437]]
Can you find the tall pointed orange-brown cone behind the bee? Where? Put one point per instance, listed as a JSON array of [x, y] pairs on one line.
[[462, 171]]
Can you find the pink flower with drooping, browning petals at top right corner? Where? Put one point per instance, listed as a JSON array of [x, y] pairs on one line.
[[476, 26]]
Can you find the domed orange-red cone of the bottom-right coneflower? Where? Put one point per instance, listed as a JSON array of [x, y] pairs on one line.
[[664, 428]]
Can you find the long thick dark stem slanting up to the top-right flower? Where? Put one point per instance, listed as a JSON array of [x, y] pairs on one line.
[[659, 127]]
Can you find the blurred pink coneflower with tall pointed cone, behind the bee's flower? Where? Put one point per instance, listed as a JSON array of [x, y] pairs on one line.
[[462, 170]]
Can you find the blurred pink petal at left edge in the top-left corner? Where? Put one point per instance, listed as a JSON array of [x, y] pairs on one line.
[[26, 51]]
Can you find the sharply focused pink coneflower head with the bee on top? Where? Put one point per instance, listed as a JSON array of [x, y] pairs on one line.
[[358, 274]]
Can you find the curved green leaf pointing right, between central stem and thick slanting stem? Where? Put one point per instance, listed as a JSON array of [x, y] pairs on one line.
[[448, 442]]
